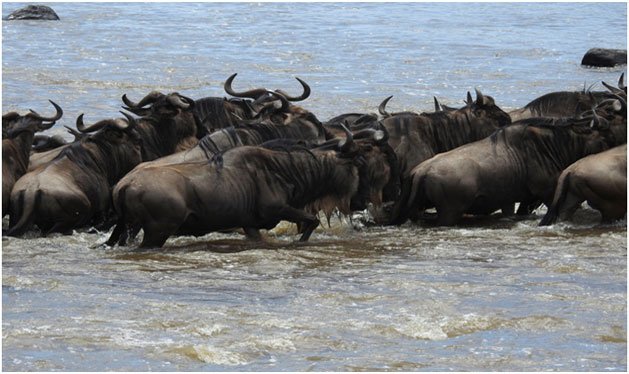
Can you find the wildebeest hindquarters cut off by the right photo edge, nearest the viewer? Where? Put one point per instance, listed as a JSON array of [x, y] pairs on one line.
[[599, 179]]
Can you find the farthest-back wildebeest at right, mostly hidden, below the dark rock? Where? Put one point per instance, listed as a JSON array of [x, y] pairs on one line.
[[566, 103]]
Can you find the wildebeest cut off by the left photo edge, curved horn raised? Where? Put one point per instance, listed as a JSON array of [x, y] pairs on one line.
[[16, 147]]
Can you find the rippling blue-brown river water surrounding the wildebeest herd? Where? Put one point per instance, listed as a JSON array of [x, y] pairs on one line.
[[491, 294]]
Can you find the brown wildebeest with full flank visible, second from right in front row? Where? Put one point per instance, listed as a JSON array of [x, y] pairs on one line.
[[518, 163]]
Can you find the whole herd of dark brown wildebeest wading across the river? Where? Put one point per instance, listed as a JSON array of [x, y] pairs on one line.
[[180, 166]]
